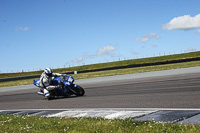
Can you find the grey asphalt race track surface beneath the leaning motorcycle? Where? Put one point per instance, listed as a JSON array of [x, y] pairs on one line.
[[171, 91]]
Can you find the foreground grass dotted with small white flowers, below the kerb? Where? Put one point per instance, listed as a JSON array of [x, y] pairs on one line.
[[24, 123]]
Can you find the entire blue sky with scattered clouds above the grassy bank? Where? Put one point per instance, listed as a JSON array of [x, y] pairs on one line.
[[35, 34]]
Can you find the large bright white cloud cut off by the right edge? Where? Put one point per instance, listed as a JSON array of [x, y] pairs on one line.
[[185, 22]]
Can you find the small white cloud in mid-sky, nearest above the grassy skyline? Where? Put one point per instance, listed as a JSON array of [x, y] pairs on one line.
[[107, 50]]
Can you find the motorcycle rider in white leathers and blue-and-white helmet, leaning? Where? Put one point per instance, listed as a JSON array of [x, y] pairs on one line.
[[46, 81]]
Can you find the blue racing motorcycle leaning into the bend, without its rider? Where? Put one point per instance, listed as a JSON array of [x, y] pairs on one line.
[[66, 87]]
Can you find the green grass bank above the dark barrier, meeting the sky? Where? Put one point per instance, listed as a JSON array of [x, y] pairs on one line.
[[111, 64]]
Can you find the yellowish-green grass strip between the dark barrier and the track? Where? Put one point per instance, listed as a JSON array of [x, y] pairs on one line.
[[112, 72]]
